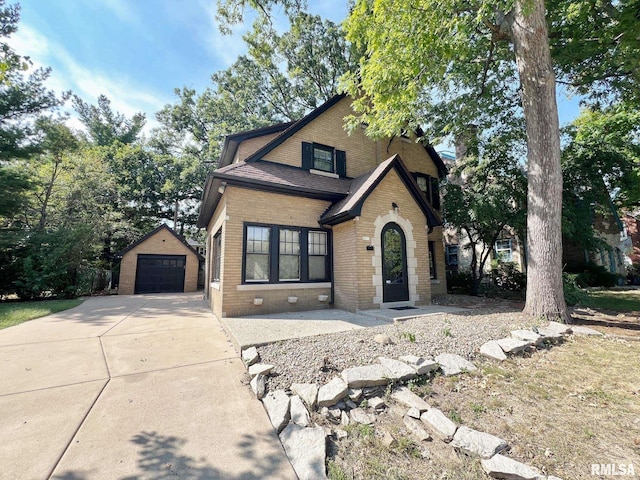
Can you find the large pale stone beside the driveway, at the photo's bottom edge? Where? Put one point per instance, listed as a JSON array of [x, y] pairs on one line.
[[306, 449]]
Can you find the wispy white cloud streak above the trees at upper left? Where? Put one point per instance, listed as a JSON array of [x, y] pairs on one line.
[[68, 74]]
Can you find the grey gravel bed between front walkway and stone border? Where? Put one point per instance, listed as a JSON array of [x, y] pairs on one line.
[[318, 359]]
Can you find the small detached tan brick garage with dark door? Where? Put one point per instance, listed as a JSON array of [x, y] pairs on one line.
[[160, 262]]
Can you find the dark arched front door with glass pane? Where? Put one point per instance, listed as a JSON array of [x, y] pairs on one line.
[[395, 285]]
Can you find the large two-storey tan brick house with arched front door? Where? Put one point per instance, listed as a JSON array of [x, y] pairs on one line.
[[303, 216]]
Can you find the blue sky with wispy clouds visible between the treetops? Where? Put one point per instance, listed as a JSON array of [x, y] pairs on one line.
[[138, 51]]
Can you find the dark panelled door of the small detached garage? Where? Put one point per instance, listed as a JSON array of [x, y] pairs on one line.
[[160, 273]]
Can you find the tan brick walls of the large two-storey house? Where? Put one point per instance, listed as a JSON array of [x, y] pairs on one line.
[[357, 279]]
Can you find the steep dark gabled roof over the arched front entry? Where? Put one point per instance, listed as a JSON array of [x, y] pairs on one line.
[[362, 186]]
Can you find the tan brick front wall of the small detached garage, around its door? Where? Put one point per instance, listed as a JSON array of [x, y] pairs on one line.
[[162, 242]]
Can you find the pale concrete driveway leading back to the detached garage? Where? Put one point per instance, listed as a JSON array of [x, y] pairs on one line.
[[130, 387]]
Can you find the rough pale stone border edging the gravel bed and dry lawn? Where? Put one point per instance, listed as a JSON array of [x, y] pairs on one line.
[[305, 445]]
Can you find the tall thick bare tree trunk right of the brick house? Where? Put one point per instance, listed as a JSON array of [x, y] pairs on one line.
[[545, 296]]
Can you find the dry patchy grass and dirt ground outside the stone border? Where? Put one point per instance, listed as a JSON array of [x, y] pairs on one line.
[[561, 409]]
